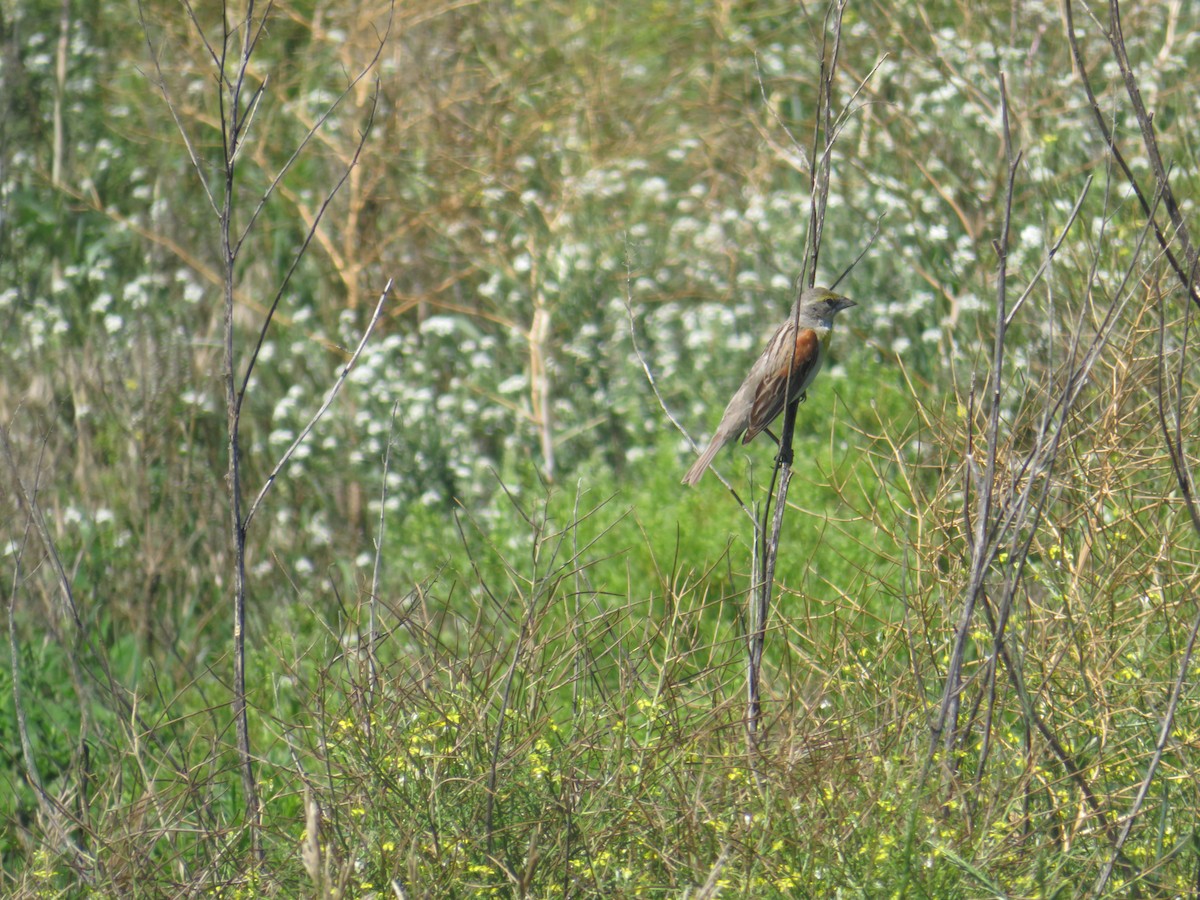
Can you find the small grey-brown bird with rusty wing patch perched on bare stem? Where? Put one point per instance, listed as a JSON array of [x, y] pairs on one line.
[[782, 374]]
